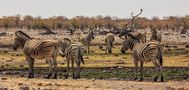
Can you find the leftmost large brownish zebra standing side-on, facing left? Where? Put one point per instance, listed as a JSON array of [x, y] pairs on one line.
[[37, 49]]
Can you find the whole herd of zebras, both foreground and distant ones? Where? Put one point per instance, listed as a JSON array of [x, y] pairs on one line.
[[142, 51]]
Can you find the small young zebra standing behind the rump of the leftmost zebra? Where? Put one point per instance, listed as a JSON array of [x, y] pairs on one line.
[[73, 53]]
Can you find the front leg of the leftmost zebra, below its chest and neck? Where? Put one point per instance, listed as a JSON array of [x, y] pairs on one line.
[[31, 66]]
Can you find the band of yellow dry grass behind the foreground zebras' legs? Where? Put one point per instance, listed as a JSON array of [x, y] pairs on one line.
[[98, 58]]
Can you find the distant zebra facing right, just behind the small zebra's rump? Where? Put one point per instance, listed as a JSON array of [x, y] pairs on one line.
[[86, 41]]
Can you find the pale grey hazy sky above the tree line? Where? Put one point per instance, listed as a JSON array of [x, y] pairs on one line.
[[117, 8]]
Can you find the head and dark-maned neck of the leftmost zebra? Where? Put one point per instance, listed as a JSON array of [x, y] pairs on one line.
[[20, 39]]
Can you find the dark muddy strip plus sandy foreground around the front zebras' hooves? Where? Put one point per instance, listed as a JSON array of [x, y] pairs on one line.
[[109, 78]]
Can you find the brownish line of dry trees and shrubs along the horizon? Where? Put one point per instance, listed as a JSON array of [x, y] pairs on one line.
[[99, 22]]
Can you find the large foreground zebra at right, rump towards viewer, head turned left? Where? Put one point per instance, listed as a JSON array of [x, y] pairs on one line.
[[145, 52]]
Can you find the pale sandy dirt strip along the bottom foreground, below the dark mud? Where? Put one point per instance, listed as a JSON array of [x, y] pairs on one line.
[[16, 83]]
